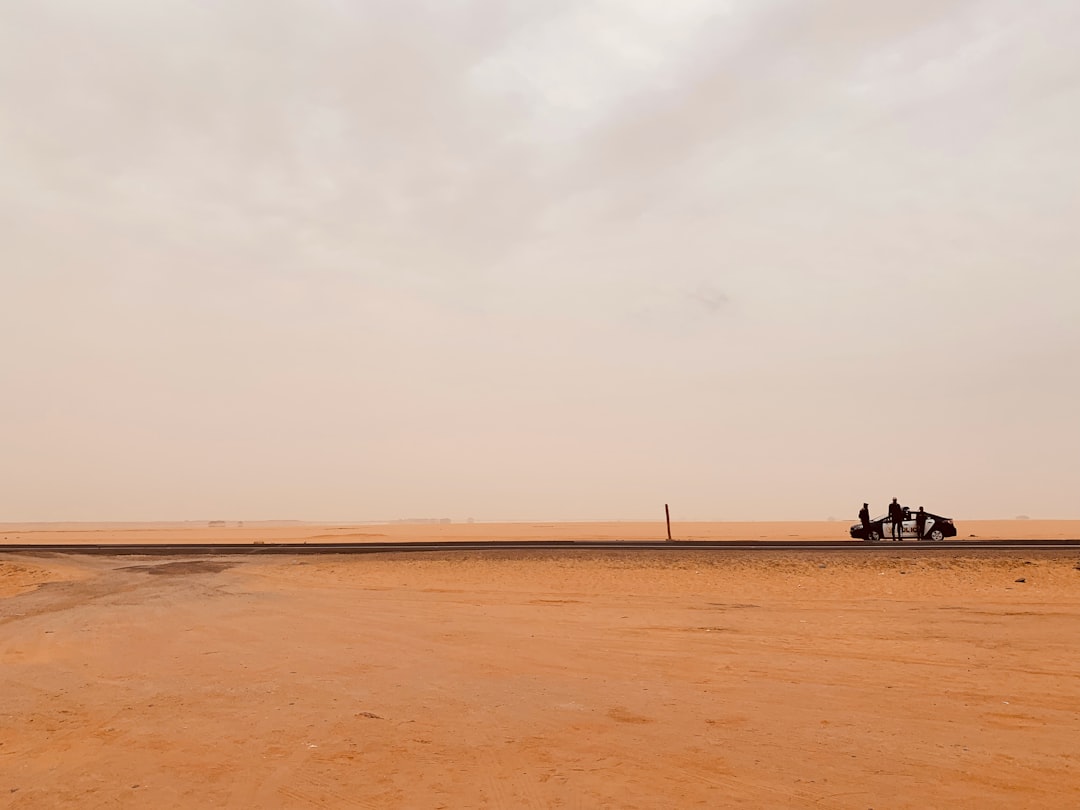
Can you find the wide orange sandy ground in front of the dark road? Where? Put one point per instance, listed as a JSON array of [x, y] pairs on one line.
[[533, 680]]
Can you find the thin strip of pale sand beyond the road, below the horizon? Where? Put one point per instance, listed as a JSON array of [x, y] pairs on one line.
[[200, 533]]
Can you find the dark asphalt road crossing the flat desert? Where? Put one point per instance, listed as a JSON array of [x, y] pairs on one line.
[[623, 546]]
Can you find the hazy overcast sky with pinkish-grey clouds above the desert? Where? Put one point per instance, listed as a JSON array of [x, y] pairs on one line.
[[377, 260]]
